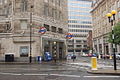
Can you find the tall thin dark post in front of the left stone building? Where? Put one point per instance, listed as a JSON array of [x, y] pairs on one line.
[[30, 57]]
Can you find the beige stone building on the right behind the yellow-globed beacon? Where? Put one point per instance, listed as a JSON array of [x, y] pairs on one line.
[[101, 25]]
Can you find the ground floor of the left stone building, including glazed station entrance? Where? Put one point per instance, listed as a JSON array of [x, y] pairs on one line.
[[19, 45]]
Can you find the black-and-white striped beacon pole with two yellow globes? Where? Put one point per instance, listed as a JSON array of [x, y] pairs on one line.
[[109, 15]]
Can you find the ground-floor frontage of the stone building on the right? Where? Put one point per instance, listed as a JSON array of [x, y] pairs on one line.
[[102, 46]]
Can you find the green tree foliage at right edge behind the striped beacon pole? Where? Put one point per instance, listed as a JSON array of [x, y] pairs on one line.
[[116, 31]]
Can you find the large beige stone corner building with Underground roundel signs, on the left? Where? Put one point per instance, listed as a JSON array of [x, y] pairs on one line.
[[20, 22]]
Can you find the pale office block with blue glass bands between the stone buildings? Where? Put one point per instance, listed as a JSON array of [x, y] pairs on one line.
[[79, 24]]
